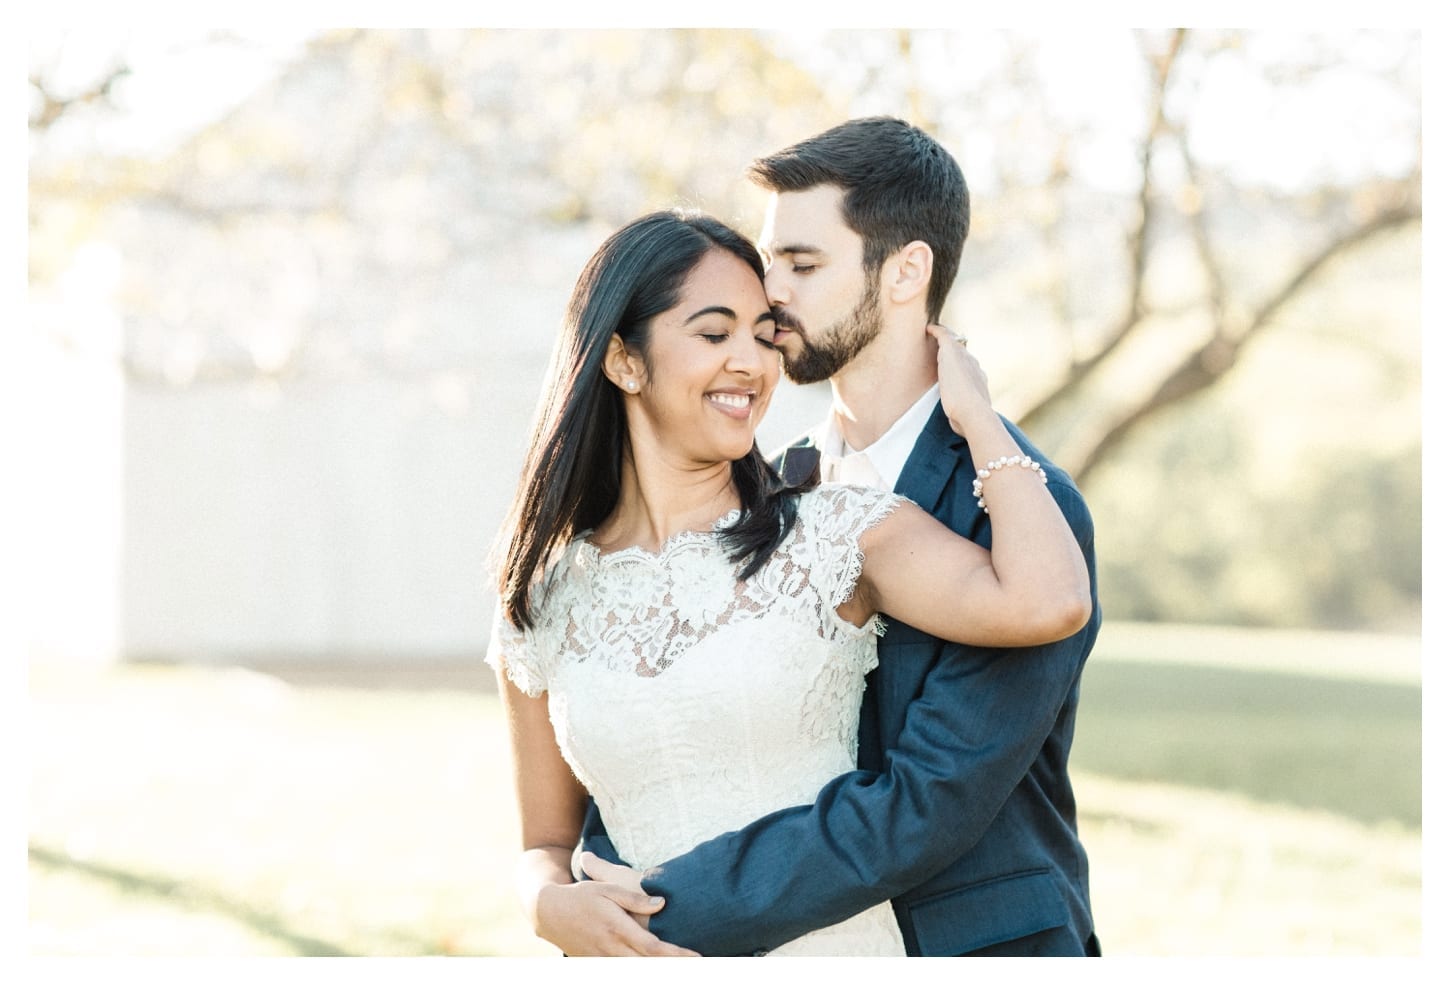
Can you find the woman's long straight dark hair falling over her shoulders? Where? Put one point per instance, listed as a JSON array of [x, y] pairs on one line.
[[571, 481]]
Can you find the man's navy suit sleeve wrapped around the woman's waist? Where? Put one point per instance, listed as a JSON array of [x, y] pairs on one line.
[[968, 742]]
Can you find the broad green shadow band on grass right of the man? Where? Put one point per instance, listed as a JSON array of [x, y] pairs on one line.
[[1345, 746]]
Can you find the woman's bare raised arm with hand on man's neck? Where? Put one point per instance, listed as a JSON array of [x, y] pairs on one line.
[[1032, 588]]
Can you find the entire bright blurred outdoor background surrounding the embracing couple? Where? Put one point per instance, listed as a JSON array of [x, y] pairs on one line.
[[291, 298]]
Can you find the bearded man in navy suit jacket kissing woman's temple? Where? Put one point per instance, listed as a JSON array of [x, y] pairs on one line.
[[962, 812]]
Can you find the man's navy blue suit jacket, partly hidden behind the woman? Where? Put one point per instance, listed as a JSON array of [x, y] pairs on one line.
[[962, 812]]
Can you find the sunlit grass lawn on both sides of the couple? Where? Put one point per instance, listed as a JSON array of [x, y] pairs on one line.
[[221, 812]]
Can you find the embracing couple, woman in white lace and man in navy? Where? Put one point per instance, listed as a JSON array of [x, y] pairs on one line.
[[817, 706]]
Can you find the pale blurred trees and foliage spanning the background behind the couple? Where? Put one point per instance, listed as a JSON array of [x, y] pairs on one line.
[[401, 159]]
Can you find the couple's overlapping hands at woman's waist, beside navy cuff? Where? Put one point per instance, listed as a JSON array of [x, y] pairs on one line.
[[601, 919]]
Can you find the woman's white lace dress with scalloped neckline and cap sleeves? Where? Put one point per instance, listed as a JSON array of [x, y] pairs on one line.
[[691, 704]]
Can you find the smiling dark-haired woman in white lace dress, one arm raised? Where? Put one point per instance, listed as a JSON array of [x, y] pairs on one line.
[[660, 591]]
